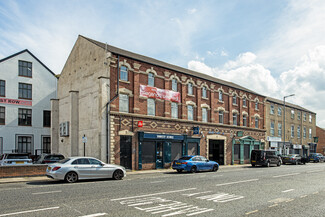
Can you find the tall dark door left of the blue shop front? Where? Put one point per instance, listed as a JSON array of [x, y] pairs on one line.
[[126, 151]]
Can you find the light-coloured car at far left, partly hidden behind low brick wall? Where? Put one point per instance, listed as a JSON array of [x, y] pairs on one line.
[[15, 159]]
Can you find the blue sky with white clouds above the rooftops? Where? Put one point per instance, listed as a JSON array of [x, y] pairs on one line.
[[275, 48]]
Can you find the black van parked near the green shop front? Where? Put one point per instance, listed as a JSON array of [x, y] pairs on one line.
[[265, 158]]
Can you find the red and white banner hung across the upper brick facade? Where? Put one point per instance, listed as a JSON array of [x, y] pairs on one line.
[[153, 92]]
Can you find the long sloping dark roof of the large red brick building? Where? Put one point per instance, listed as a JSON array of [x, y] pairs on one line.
[[159, 63]]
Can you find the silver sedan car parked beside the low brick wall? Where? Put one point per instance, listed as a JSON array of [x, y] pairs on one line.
[[76, 168]]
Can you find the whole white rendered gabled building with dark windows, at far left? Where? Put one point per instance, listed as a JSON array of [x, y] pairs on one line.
[[26, 88]]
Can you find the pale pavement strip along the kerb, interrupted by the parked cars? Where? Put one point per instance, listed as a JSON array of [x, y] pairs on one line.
[[129, 172]]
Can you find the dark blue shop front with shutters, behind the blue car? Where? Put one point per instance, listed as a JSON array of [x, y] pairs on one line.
[[158, 151]]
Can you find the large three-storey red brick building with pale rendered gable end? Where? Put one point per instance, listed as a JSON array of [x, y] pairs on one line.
[[182, 111]]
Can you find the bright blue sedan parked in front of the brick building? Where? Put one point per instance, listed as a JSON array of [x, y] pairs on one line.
[[193, 164]]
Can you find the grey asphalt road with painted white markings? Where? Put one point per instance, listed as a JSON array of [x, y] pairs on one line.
[[289, 190]]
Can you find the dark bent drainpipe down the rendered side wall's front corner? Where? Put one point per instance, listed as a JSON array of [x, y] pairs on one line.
[[108, 119]]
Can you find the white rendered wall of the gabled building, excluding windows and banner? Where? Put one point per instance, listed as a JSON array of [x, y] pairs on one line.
[[44, 88]]
